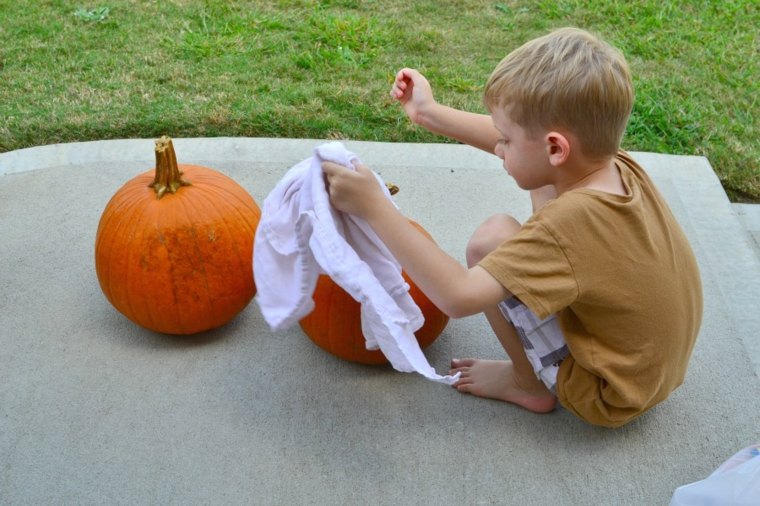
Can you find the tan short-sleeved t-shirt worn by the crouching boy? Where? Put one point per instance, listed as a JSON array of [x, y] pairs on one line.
[[623, 279]]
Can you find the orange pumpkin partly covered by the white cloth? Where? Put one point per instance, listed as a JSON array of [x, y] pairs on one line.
[[335, 323]]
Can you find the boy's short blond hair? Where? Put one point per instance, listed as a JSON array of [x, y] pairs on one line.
[[566, 79]]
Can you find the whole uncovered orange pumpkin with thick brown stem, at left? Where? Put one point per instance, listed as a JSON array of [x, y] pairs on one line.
[[175, 255]]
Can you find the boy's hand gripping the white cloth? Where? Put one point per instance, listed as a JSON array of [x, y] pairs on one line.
[[355, 192]]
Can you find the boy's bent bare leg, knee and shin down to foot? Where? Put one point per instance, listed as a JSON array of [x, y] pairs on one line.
[[515, 380]]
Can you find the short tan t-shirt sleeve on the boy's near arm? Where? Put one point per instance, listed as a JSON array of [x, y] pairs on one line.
[[535, 268]]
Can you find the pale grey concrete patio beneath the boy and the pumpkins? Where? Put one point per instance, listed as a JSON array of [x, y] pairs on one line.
[[94, 410]]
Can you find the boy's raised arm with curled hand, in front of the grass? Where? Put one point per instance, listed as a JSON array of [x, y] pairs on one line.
[[414, 93]]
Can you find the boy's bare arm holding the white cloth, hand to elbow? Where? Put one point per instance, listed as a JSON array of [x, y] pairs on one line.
[[456, 290]]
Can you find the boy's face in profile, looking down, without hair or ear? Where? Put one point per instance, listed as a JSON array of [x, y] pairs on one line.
[[525, 157]]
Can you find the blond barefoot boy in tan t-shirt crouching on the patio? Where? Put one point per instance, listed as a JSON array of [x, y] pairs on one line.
[[597, 298]]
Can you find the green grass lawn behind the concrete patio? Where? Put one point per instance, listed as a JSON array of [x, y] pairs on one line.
[[72, 71]]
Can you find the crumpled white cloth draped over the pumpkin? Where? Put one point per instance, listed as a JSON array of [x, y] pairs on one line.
[[301, 236]]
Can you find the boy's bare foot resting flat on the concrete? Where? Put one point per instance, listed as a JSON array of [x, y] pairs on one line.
[[495, 379]]
